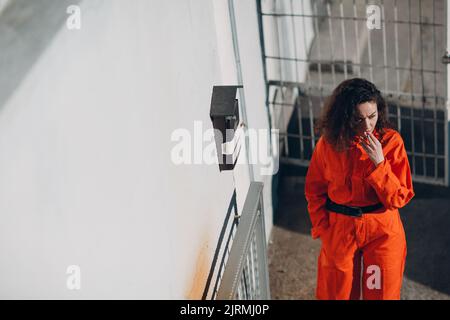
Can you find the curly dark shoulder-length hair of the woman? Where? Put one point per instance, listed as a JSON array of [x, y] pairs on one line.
[[337, 122]]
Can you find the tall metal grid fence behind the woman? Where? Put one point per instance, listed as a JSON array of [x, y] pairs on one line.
[[309, 47]]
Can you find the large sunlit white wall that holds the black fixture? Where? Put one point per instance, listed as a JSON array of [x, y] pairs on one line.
[[85, 167]]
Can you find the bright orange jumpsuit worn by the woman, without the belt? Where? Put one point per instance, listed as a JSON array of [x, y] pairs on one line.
[[350, 178]]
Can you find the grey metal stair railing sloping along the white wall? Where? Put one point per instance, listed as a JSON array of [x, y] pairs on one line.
[[245, 275]]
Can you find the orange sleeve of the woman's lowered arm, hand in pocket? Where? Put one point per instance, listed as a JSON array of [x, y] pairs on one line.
[[316, 191]]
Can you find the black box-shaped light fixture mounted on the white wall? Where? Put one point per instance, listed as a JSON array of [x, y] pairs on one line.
[[224, 115]]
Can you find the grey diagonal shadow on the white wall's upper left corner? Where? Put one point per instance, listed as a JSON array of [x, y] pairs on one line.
[[26, 29]]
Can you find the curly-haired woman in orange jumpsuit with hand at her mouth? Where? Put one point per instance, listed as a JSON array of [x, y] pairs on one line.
[[358, 178]]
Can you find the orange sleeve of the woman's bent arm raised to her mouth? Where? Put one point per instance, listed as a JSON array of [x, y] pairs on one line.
[[391, 179]]
